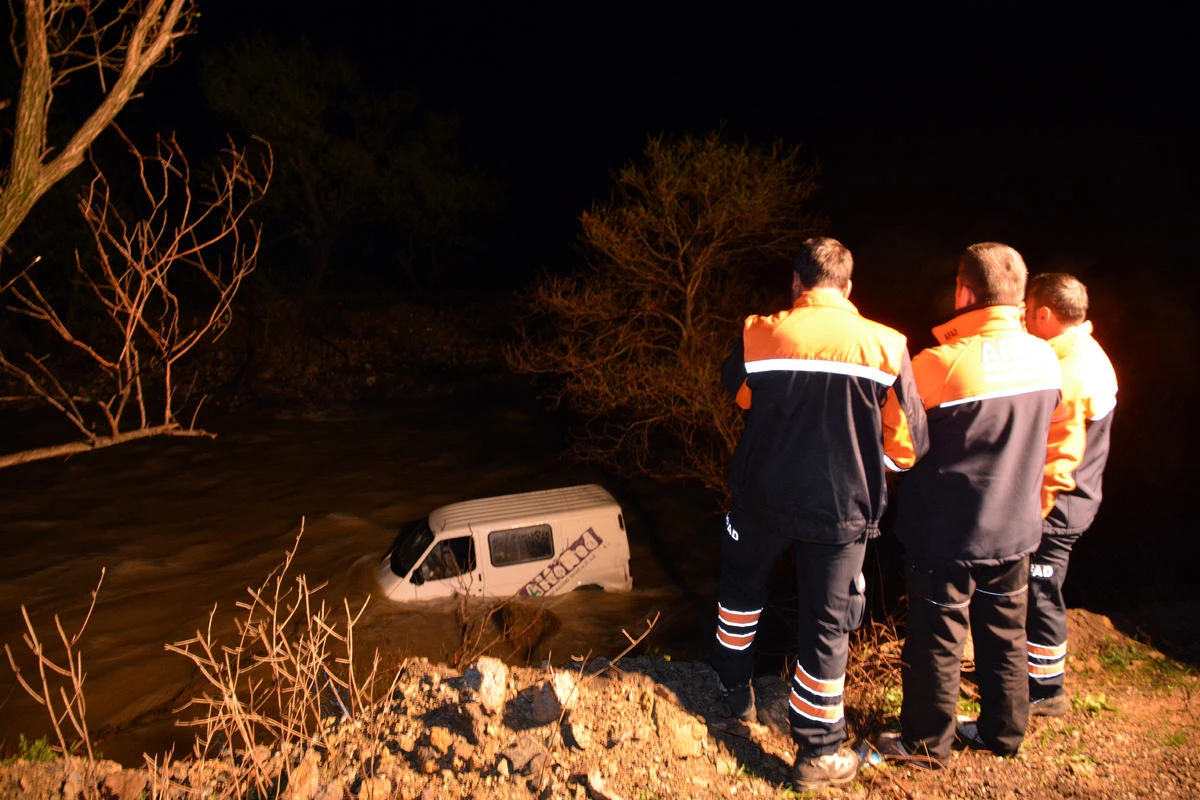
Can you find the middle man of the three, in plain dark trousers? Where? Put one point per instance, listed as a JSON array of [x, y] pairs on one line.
[[969, 514]]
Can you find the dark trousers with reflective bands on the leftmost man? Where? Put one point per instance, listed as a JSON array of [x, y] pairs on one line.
[[830, 605]]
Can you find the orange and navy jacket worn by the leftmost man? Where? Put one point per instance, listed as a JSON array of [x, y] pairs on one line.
[[831, 396]]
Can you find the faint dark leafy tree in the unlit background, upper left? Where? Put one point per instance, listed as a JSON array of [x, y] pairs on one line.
[[351, 161]]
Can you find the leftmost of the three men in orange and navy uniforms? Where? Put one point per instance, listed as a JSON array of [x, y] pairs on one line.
[[831, 400]]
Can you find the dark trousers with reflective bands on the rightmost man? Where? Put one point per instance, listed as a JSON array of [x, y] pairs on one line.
[[1047, 621]]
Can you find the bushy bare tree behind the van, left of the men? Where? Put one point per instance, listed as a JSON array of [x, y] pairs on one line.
[[677, 260]]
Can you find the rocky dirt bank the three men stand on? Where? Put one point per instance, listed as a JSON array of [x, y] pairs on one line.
[[644, 729]]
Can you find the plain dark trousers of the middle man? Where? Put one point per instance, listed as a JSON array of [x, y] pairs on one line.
[[944, 601]]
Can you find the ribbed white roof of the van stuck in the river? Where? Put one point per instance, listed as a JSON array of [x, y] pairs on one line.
[[515, 509]]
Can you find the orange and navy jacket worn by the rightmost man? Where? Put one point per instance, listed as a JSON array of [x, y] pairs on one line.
[[1072, 497]]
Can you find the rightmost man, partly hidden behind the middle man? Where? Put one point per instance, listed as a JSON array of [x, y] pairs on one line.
[[1057, 311]]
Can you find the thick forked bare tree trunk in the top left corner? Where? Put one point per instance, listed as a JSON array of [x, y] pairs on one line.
[[58, 40]]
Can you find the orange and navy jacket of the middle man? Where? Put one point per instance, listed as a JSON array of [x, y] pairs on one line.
[[991, 392]]
